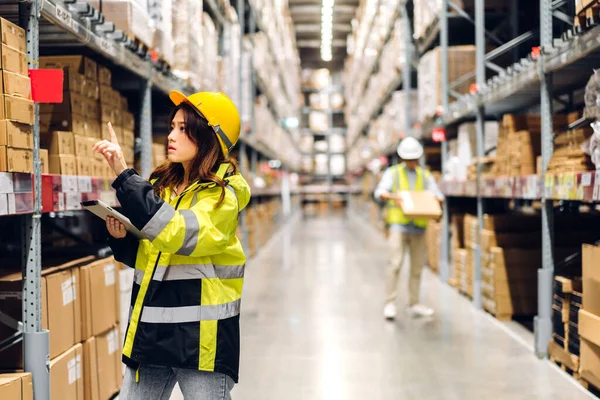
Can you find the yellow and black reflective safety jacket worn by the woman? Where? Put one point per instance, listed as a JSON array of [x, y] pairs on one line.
[[189, 273]]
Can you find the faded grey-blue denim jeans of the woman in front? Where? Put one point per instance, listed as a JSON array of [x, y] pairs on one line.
[[157, 383]]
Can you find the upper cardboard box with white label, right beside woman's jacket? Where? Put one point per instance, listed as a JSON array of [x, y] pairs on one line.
[[99, 294]]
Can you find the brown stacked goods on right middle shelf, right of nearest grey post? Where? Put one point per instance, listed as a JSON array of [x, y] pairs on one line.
[[570, 149]]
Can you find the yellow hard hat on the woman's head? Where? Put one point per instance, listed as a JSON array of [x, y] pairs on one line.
[[219, 111]]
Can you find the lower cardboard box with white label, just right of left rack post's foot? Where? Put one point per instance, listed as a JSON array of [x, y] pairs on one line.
[[66, 375]]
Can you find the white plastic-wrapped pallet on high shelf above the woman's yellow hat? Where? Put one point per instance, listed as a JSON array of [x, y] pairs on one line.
[[187, 41]]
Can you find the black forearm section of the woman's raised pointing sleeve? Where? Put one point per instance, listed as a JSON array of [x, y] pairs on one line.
[[137, 198]]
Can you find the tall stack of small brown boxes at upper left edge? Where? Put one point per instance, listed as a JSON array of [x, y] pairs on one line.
[[16, 107]]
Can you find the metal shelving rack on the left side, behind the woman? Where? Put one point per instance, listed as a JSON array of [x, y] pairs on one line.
[[51, 22]]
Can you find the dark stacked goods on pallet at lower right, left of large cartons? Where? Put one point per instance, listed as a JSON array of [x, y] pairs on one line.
[[566, 342]]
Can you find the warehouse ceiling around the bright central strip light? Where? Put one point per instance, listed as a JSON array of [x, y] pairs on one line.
[[306, 15]]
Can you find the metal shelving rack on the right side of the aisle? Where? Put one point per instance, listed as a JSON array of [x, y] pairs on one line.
[[562, 65]]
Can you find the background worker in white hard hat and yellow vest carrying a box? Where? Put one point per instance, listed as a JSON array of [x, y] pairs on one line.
[[405, 235]]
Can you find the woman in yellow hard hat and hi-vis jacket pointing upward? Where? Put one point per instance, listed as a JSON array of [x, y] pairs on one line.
[[189, 268]]
